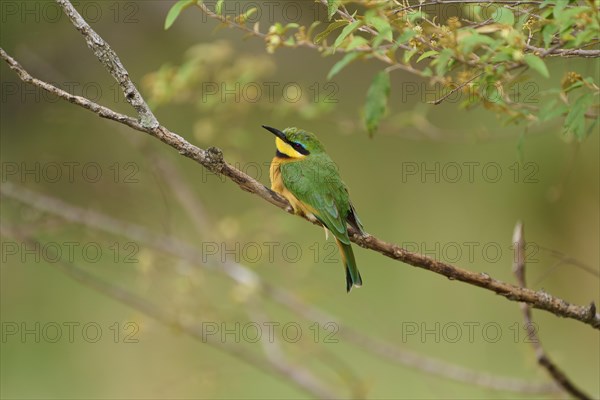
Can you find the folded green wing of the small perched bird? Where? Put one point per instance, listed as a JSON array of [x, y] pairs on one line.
[[317, 183]]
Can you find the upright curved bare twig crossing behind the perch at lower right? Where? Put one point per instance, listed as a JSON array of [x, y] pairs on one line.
[[543, 359]]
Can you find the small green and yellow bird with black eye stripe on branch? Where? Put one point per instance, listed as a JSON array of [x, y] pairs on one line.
[[305, 175]]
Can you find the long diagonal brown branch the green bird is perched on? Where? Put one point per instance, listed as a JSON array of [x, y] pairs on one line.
[[213, 160]]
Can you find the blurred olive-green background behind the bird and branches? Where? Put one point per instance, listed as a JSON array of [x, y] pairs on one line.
[[551, 185]]
